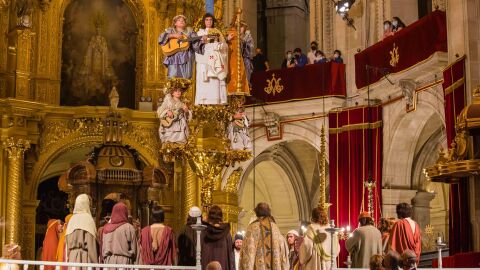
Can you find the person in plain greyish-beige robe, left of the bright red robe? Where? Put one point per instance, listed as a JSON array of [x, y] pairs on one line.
[[365, 242]]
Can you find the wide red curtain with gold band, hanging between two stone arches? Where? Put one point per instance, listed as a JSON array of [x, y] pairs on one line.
[[351, 143]]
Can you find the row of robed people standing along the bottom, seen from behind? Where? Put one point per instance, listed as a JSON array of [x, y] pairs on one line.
[[392, 245]]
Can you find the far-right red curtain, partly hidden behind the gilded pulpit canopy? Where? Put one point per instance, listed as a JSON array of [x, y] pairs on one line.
[[459, 216]]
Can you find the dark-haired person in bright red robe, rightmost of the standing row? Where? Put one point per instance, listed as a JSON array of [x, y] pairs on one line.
[[405, 233]]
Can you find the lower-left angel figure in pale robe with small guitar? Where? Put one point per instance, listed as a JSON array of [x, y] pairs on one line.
[[174, 113]]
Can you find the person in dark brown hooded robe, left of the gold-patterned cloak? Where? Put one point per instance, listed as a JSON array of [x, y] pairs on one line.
[[216, 241]]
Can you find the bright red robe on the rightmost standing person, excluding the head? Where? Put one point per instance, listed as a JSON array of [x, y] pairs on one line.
[[402, 238]]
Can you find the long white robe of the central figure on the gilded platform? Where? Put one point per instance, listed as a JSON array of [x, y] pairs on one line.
[[211, 73]]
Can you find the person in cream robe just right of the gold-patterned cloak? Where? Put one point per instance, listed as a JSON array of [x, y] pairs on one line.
[[316, 249]]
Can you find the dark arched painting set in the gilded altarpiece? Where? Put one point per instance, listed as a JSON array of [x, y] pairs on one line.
[[99, 44]]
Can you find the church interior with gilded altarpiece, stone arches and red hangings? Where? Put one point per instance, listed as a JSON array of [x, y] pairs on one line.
[[396, 121]]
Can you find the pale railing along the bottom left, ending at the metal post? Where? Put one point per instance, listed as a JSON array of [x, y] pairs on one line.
[[26, 265]]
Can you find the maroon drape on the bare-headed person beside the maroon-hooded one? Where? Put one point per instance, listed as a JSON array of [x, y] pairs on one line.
[[166, 252]]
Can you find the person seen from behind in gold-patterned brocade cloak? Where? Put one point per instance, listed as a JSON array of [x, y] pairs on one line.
[[264, 247]]
